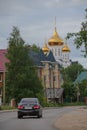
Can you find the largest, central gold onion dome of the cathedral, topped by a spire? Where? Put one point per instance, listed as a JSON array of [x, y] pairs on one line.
[[55, 39]]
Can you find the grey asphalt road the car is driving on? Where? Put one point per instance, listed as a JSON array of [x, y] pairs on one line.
[[9, 121]]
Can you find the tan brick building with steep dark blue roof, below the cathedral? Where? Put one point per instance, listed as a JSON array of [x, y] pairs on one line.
[[48, 71]]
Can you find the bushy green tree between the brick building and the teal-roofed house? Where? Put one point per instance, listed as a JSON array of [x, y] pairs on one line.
[[69, 75]]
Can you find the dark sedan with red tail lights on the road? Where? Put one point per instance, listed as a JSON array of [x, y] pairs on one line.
[[29, 107]]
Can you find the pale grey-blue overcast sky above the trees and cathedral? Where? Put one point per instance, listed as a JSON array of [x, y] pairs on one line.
[[36, 20]]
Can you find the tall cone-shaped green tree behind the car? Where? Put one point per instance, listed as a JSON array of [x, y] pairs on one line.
[[21, 78]]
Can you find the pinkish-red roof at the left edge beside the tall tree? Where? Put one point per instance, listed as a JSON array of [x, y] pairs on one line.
[[3, 59]]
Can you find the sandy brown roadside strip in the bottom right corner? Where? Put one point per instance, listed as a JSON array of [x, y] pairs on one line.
[[76, 120]]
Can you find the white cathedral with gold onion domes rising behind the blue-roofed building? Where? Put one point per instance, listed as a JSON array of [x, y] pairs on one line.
[[59, 49]]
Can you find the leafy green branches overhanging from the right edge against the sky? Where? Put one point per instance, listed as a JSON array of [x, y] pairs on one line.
[[80, 38]]
